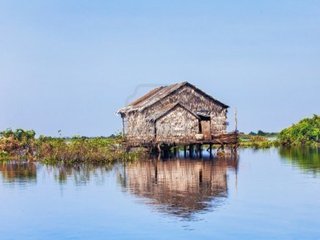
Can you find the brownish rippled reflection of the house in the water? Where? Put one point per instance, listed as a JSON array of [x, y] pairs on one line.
[[180, 187]]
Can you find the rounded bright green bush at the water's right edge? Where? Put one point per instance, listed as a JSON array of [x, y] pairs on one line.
[[306, 132]]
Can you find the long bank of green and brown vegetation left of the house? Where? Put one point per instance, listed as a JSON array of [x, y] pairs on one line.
[[21, 144]]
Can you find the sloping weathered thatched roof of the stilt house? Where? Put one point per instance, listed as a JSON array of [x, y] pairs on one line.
[[159, 93]]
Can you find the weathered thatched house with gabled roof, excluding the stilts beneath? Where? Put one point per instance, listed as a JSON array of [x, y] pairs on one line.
[[176, 114]]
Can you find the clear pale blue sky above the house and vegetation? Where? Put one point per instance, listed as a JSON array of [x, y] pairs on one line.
[[70, 65]]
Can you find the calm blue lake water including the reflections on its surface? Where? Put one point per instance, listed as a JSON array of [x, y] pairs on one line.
[[262, 194]]
